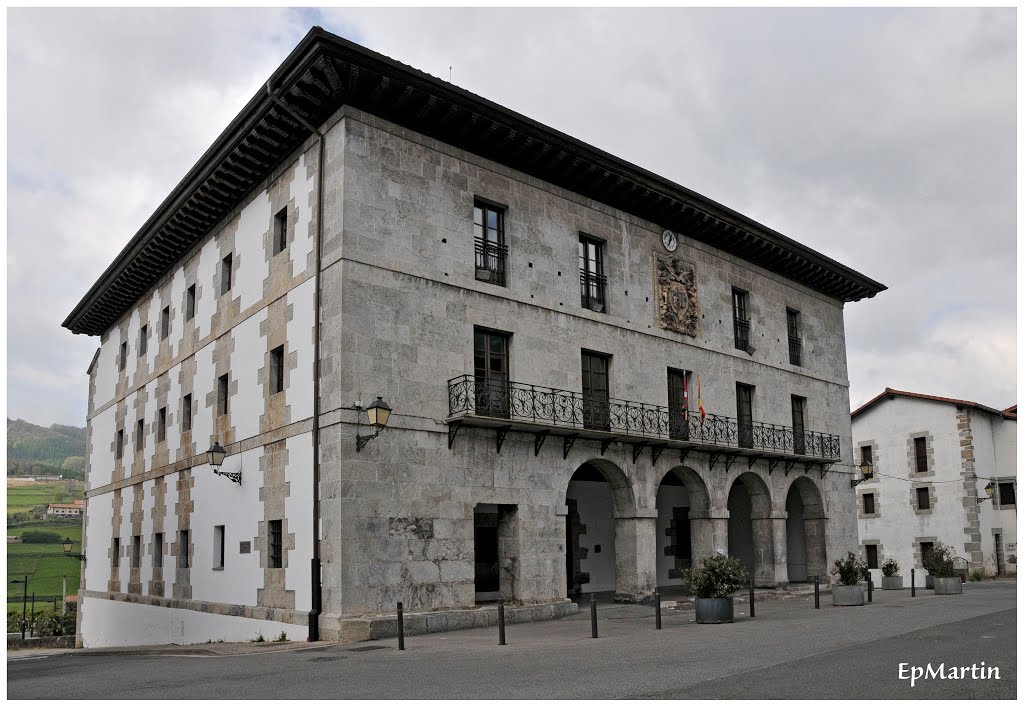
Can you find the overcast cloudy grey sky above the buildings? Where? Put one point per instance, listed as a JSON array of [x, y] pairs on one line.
[[883, 139]]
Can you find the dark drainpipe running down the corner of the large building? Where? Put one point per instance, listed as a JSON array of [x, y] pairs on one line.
[[315, 570]]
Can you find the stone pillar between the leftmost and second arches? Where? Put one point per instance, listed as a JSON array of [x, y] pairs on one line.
[[636, 556]]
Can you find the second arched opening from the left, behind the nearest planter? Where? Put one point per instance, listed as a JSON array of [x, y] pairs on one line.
[[685, 536]]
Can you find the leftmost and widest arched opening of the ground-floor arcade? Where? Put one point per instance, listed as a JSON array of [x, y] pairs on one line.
[[599, 494]]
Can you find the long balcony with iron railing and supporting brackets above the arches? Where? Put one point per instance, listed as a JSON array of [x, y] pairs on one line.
[[507, 406]]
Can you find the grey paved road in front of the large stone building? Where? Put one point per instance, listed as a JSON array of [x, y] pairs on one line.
[[789, 651]]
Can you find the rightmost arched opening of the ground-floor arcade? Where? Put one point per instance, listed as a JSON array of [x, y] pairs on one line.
[[805, 528]]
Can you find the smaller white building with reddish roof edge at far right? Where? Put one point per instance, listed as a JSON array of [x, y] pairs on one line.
[[932, 459]]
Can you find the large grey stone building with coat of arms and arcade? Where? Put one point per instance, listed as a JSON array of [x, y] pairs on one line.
[[536, 312]]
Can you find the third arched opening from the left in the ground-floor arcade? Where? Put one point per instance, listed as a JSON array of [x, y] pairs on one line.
[[750, 528]]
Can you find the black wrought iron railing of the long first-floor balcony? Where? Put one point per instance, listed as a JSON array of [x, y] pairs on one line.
[[565, 409]]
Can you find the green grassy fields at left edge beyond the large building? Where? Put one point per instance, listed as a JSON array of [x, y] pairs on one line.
[[45, 564]]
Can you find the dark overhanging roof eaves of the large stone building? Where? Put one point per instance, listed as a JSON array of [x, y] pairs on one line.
[[325, 72]]
